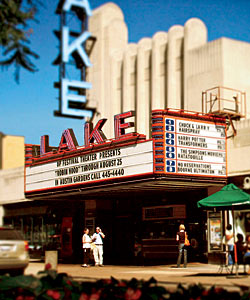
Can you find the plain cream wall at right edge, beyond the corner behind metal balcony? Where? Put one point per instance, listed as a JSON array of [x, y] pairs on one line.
[[236, 70]]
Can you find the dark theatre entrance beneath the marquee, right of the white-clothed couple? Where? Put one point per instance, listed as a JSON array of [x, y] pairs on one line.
[[141, 229]]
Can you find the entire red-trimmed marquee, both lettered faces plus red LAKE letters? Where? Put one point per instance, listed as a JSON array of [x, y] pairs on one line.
[[182, 146]]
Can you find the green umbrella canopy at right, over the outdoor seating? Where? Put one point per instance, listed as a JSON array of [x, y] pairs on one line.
[[227, 198]]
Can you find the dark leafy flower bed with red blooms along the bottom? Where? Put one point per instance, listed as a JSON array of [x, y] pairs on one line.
[[51, 285]]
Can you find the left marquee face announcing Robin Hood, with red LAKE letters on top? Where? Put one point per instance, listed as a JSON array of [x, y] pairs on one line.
[[100, 160]]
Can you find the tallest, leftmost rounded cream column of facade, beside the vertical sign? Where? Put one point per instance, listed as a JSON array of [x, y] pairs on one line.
[[108, 26]]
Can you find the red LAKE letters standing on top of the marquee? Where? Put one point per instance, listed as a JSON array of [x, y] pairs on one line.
[[91, 135]]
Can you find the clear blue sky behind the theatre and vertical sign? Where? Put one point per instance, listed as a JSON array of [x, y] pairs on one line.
[[27, 109]]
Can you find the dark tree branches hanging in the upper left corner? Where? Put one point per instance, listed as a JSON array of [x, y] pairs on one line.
[[15, 32]]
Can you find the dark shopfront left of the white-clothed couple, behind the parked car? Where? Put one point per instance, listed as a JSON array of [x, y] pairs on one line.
[[47, 226]]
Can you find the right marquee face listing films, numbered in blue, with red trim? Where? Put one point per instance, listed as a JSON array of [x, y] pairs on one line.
[[189, 144]]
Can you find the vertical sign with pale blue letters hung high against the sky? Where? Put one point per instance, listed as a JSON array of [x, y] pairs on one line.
[[72, 99]]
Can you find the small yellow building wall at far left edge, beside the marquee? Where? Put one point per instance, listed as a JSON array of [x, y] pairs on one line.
[[12, 151]]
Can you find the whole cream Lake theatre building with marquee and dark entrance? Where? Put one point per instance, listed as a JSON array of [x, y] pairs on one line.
[[169, 126]]
